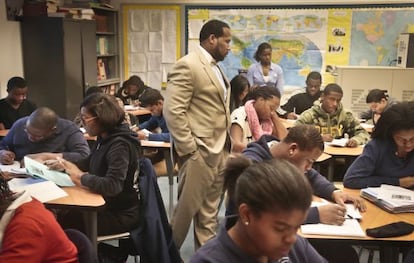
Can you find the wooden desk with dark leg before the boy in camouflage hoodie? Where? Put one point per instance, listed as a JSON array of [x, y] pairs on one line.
[[337, 152]]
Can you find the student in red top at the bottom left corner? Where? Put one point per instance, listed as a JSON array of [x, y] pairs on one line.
[[29, 232]]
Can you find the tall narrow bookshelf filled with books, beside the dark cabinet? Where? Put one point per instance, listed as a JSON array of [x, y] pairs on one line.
[[107, 48]]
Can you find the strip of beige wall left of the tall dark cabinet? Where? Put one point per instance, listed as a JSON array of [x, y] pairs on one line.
[[10, 49]]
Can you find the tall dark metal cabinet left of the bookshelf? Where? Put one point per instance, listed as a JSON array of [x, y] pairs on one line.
[[59, 61]]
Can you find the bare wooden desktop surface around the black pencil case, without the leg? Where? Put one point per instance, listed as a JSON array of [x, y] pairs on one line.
[[374, 217]]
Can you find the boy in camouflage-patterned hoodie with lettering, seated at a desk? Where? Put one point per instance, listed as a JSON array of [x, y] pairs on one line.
[[332, 120]]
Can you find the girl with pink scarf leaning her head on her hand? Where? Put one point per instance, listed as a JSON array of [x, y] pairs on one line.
[[257, 117]]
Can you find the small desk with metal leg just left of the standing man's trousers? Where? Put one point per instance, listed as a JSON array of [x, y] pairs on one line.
[[165, 147]]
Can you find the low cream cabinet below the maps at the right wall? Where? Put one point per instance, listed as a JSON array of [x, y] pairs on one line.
[[356, 82]]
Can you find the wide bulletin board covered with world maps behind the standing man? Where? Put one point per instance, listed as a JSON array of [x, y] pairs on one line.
[[307, 38]]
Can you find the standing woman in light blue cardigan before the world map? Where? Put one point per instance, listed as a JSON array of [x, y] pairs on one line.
[[264, 72]]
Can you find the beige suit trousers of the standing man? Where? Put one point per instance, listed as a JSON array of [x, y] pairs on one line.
[[199, 192]]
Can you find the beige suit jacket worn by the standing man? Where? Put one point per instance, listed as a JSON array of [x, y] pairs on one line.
[[196, 112]]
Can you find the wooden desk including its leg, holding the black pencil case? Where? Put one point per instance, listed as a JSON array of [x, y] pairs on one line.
[[374, 217]]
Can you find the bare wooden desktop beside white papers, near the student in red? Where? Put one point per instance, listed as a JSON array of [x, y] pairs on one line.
[[80, 197]]
